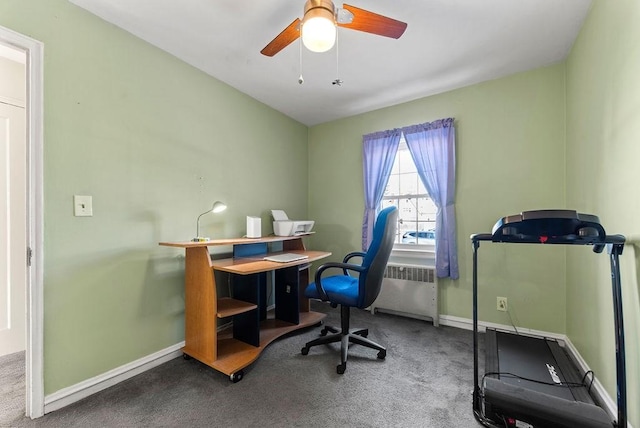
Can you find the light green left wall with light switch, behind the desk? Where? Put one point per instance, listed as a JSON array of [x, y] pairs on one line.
[[155, 142]]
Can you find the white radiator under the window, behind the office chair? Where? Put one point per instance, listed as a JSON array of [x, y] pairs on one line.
[[410, 291]]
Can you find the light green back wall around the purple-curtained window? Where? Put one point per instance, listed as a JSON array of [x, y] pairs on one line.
[[510, 158]]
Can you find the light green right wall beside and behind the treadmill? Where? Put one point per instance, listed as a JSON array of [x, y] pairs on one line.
[[603, 171]]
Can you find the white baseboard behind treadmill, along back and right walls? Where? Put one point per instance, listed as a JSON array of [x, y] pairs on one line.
[[602, 395]]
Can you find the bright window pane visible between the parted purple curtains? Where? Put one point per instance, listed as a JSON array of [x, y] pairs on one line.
[[416, 210]]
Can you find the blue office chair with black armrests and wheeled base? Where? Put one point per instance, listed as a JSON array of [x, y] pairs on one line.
[[357, 291]]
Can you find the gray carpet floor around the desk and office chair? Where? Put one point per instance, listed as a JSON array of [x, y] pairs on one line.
[[425, 381]]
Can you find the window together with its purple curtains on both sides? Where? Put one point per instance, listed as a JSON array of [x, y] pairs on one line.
[[433, 146]]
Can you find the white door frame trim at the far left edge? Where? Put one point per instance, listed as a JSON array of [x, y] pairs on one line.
[[30, 262]]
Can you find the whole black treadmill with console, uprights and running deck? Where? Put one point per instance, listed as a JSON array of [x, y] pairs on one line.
[[531, 381]]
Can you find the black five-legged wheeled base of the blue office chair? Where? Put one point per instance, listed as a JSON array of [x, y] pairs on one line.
[[345, 336]]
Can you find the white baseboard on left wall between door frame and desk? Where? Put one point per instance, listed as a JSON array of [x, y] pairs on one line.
[[71, 394]]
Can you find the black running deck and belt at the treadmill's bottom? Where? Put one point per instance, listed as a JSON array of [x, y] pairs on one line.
[[528, 384]]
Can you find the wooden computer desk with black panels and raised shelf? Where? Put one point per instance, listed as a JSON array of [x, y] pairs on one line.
[[253, 329]]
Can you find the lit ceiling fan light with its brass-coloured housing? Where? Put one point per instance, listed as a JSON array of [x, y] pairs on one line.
[[318, 26]]
